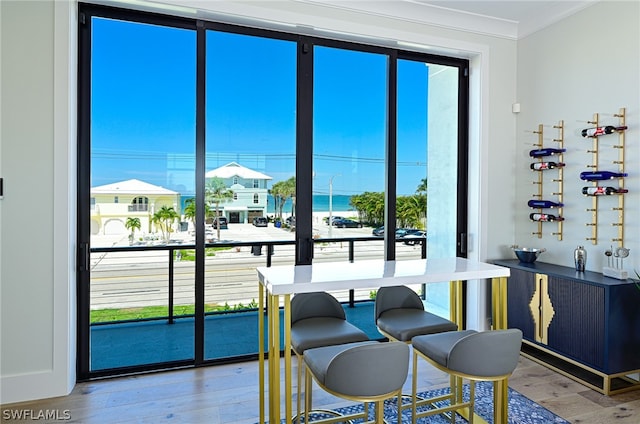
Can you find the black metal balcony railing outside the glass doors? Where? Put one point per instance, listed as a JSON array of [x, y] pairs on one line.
[[133, 278]]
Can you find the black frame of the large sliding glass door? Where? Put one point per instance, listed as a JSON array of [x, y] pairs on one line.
[[304, 154]]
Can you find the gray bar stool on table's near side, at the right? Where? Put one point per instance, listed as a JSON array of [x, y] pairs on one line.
[[468, 354]]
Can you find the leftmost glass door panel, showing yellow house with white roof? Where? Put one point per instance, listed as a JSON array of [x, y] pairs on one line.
[[142, 165]]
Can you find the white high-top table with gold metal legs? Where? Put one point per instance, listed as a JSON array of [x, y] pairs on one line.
[[284, 281]]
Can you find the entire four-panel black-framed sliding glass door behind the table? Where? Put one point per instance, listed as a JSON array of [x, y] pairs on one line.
[[206, 150]]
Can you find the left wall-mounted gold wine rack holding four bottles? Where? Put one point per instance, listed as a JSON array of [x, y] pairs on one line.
[[544, 166]]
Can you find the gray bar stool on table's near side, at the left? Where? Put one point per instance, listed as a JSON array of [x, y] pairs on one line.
[[363, 372]]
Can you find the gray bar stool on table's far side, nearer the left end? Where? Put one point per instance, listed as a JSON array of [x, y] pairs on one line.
[[318, 320]]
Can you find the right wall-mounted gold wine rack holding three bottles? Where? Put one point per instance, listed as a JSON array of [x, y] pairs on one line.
[[600, 131]]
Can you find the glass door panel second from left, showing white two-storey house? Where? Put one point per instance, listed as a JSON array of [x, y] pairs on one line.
[[249, 179]]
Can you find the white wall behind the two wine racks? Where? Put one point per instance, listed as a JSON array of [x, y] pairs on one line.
[[585, 64]]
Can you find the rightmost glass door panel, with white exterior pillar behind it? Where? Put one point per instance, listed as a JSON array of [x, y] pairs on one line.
[[427, 166]]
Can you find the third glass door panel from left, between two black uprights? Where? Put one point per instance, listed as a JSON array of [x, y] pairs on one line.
[[349, 133]]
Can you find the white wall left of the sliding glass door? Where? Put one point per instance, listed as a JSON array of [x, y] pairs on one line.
[[37, 313]]
